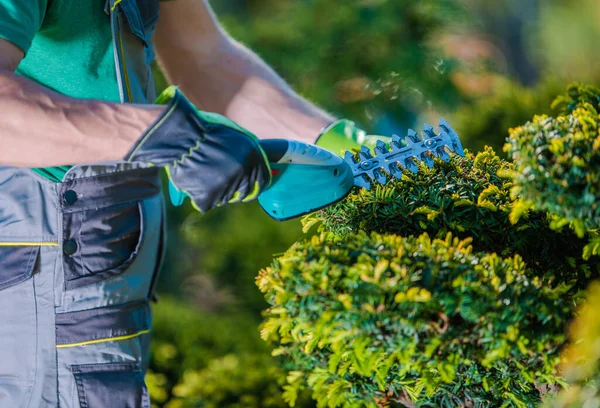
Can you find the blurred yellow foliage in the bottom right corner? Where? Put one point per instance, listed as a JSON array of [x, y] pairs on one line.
[[582, 358]]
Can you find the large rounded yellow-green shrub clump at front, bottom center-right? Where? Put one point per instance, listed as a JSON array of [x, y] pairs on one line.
[[379, 320]]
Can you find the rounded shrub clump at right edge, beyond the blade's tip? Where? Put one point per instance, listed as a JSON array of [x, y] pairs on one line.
[[557, 163]]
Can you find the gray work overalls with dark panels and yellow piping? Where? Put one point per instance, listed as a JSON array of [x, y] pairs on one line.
[[78, 261]]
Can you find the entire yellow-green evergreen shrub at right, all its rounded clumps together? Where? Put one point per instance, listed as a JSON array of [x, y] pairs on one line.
[[451, 287]]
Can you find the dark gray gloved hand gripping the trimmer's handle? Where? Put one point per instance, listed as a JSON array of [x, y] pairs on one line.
[[207, 157]]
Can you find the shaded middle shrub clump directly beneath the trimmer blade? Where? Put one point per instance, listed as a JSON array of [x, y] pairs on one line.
[[468, 198]]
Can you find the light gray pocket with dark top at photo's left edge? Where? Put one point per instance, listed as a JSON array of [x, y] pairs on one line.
[[18, 330]]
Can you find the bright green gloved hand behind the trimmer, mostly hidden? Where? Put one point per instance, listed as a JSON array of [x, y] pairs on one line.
[[345, 135]]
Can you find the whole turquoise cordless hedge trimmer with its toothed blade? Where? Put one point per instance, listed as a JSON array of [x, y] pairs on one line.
[[307, 177]]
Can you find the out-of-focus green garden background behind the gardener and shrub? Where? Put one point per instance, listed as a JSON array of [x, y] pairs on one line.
[[485, 66]]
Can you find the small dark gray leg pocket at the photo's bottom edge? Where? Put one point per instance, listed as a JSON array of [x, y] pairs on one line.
[[111, 385]]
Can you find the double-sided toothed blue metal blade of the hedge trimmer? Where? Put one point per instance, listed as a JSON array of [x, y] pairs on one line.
[[404, 154]]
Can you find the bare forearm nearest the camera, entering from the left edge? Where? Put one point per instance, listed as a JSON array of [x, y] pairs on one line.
[[39, 127]]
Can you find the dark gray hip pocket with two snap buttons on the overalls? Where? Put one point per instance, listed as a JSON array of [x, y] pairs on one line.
[[103, 224]]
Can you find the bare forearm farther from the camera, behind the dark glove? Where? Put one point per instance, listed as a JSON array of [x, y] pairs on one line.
[[235, 82]]
